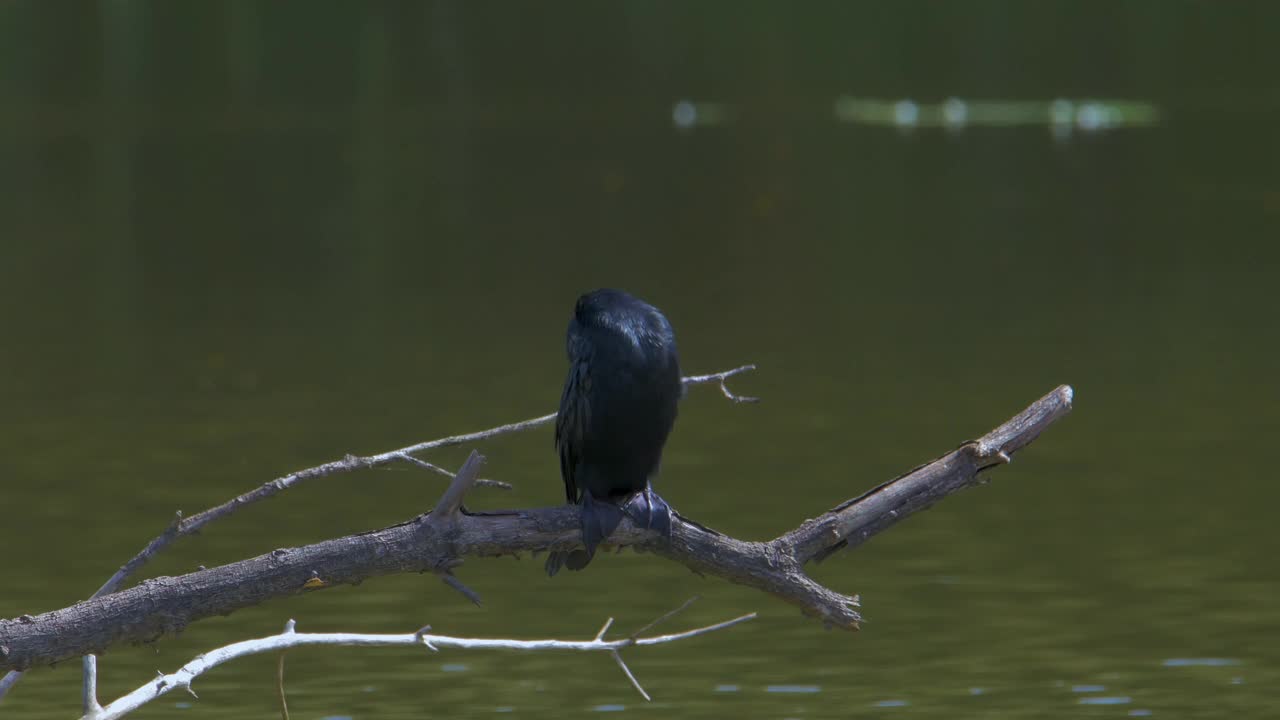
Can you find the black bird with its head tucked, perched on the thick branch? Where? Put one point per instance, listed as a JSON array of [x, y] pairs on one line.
[[616, 411]]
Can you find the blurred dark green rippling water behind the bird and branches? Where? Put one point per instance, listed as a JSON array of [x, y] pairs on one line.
[[243, 239]]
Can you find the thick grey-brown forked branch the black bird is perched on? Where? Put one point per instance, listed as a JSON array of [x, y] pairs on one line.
[[166, 605]]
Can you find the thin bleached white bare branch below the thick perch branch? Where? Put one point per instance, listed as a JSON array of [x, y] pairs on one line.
[[290, 639]]
